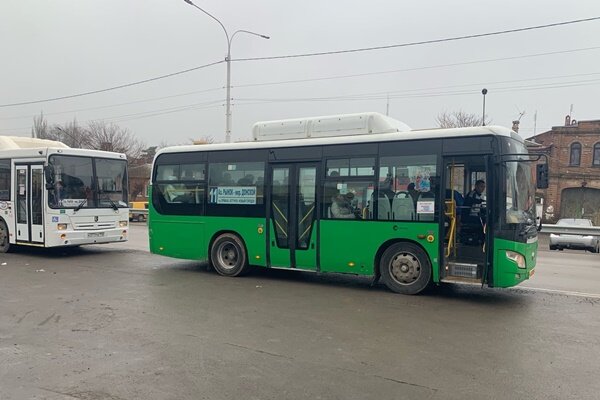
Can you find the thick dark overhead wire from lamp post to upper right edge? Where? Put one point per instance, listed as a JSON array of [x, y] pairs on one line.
[[422, 42]]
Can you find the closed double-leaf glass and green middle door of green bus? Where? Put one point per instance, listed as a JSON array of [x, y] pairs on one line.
[[292, 210]]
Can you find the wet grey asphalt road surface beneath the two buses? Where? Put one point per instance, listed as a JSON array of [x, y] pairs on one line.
[[115, 322]]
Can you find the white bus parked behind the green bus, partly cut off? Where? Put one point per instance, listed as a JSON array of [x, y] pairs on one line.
[[52, 195]]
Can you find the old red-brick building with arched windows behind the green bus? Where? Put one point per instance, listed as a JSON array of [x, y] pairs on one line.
[[573, 152]]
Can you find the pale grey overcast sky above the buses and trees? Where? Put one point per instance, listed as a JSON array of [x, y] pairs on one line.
[[64, 47]]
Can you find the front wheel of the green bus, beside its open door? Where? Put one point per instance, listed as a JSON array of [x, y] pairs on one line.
[[405, 268]]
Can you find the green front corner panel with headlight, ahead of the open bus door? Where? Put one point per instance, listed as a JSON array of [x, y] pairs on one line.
[[506, 272]]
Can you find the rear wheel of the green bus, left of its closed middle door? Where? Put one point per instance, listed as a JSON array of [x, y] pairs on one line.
[[228, 255]]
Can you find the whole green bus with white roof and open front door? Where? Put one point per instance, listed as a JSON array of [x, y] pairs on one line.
[[356, 194]]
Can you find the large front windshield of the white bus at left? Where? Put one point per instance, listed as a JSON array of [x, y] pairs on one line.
[[87, 182]]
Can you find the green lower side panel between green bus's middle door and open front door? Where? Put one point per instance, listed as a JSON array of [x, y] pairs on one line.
[[346, 242]]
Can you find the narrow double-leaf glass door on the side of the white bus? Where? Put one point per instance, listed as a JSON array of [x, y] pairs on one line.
[[29, 203]]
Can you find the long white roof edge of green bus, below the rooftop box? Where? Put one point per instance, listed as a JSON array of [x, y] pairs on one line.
[[381, 137]]
